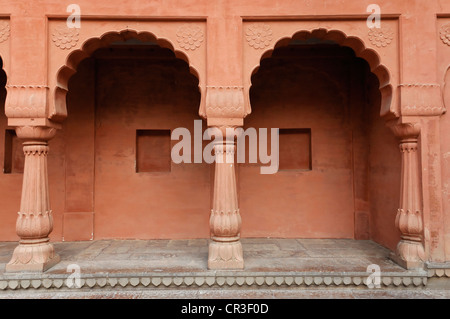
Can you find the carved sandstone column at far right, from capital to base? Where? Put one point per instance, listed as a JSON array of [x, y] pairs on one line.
[[410, 250]]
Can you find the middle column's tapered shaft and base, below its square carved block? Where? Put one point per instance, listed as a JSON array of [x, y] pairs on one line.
[[225, 249]]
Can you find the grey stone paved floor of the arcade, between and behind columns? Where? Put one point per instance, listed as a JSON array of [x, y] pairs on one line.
[[261, 255]]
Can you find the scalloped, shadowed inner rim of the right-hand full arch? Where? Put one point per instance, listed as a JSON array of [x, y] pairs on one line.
[[355, 43]]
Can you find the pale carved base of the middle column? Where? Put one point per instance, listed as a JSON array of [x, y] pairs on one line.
[[225, 255]]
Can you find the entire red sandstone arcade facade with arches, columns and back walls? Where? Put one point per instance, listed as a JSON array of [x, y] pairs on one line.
[[364, 134]]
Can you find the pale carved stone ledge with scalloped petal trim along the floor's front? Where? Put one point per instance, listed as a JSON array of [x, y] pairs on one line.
[[173, 281]]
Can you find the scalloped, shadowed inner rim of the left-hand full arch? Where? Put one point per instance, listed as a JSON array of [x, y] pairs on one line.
[[90, 46]]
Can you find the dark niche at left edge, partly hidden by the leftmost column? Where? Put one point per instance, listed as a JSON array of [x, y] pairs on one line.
[[14, 158]]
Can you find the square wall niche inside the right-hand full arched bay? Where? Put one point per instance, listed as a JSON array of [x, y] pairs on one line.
[[295, 149]]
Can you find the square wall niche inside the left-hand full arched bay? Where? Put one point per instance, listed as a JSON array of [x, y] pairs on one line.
[[153, 149]]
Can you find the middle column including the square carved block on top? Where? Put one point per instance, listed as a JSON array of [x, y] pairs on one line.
[[225, 108]]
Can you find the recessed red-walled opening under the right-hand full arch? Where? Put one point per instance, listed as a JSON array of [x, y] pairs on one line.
[[339, 168]]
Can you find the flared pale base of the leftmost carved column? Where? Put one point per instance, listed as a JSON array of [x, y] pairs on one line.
[[33, 258]]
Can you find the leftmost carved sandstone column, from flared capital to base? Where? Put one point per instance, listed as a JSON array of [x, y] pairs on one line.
[[34, 221]]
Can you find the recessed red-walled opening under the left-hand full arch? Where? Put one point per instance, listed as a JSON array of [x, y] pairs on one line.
[[123, 102]]
